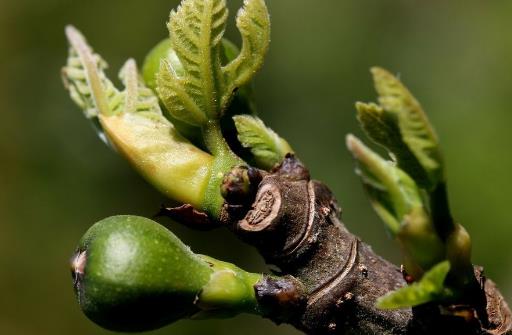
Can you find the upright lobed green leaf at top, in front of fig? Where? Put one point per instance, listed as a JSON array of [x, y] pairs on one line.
[[201, 88]]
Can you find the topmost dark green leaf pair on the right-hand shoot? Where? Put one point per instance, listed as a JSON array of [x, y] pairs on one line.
[[399, 124]]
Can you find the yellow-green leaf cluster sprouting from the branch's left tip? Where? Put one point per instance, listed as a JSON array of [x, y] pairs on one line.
[[198, 75]]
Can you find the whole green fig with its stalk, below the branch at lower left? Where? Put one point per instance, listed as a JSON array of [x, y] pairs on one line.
[[132, 274]]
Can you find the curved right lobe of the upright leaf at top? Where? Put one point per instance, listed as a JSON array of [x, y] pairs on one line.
[[253, 21]]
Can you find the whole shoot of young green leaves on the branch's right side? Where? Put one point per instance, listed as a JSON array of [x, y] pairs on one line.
[[407, 188]]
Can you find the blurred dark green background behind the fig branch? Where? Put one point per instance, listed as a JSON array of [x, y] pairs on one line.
[[57, 178]]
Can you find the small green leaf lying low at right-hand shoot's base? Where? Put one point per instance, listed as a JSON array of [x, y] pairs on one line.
[[429, 288]]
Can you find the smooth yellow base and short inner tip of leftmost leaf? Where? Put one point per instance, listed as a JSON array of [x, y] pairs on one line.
[[151, 143]]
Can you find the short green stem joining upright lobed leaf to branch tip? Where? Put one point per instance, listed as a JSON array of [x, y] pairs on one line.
[[224, 161]]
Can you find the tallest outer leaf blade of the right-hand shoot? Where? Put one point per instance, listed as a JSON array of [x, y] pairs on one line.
[[415, 129]]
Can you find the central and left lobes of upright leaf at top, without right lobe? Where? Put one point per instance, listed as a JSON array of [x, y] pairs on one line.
[[196, 29]]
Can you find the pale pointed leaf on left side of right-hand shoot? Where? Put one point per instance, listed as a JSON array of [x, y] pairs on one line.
[[392, 192]]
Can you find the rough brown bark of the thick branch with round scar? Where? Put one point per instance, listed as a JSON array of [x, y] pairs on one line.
[[333, 278]]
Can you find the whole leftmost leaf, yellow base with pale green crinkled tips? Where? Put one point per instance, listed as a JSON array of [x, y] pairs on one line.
[[133, 123]]
